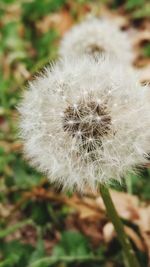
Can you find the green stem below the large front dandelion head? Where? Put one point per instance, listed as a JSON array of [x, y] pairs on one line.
[[123, 239]]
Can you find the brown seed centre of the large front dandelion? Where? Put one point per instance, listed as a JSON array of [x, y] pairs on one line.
[[87, 120]]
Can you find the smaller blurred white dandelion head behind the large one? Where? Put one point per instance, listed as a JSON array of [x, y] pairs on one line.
[[96, 36]]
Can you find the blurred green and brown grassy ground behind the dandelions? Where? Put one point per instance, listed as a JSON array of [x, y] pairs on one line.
[[40, 227]]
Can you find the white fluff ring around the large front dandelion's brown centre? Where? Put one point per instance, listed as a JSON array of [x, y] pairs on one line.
[[63, 157]]
